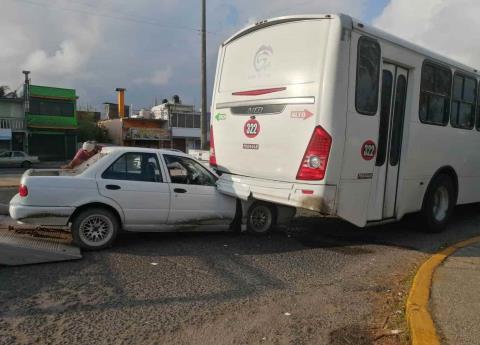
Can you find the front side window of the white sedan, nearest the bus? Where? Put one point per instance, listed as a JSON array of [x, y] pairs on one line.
[[183, 170]]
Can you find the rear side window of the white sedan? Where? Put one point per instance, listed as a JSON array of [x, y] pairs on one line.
[[135, 167]]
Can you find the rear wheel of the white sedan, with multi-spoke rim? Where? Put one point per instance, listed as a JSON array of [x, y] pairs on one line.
[[95, 229]]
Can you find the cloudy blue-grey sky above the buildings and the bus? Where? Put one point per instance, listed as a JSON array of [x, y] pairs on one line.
[[152, 47]]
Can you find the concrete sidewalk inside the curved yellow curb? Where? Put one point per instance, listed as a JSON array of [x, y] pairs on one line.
[[455, 298]]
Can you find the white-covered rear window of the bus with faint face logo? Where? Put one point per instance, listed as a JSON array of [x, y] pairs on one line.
[[279, 55]]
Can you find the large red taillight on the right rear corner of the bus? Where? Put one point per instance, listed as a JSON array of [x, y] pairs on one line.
[[314, 162]]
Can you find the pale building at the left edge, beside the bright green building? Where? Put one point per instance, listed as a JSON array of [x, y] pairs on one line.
[[13, 132]]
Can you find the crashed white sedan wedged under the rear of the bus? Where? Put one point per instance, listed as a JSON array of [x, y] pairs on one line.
[[134, 189]]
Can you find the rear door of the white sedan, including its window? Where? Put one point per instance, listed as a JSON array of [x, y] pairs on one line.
[[135, 181]]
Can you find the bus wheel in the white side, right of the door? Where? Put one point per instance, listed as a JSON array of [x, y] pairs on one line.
[[438, 204]]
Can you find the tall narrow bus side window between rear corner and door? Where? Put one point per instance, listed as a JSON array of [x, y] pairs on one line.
[[368, 76]]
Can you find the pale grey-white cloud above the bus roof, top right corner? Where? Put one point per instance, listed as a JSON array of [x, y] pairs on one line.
[[444, 26]]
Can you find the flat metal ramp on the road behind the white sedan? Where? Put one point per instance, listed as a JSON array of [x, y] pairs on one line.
[[33, 247]]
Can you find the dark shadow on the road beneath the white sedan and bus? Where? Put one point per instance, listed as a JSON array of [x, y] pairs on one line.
[[309, 232]]
